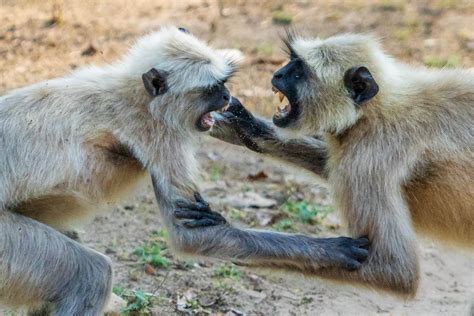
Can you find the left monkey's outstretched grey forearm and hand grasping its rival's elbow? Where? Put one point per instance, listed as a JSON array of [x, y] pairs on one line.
[[252, 247]]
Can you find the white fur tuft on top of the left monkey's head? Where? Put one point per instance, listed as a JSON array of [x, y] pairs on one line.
[[189, 62]]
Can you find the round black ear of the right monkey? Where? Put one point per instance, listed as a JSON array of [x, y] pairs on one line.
[[360, 84]]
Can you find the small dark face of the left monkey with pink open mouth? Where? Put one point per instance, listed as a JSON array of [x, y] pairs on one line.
[[215, 98]]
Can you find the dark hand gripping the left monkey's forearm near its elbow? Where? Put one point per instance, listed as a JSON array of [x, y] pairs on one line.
[[195, 214]]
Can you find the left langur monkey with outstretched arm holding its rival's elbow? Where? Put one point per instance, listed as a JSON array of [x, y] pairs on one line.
[[75, 145]]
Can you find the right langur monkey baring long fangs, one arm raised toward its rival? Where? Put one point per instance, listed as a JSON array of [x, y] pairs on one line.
[[395, 144]]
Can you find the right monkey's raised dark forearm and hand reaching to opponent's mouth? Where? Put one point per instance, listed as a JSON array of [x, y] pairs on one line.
[[239, 127]]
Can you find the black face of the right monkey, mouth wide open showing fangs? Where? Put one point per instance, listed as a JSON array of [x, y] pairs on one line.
[[285, 82]]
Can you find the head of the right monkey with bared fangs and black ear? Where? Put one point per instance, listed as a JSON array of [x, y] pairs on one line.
[[327, 83]]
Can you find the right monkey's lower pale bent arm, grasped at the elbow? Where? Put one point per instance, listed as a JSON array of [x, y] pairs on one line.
[[372, 203]]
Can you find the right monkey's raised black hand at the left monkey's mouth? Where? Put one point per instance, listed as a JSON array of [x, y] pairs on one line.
[[239, 127]]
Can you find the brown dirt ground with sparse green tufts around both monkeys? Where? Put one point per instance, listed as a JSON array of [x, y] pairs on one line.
[[46, 39]]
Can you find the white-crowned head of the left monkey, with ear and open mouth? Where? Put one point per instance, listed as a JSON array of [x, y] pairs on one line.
[[184, 77]]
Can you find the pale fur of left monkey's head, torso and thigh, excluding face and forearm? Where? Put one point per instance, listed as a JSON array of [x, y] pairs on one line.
[[73, 146]]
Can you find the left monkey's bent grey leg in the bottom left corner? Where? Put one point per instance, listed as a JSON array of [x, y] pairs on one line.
[[39, 265]]
